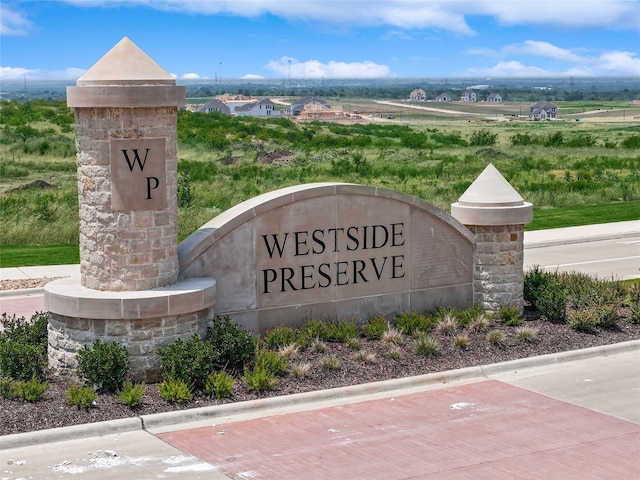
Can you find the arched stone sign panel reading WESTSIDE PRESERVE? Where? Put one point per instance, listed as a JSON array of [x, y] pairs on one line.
[[331, 251]]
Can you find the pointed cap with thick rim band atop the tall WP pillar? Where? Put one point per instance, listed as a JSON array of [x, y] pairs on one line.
[[125, 77]]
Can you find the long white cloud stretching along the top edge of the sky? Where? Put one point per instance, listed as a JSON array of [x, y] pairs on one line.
[[413, 14]]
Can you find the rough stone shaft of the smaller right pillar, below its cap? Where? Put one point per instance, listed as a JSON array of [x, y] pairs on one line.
[[498, 272]]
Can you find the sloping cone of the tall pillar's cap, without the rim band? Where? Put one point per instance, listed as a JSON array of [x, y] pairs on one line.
[[126, 64]]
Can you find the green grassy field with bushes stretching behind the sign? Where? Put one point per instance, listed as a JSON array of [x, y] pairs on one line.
[[574, 172]]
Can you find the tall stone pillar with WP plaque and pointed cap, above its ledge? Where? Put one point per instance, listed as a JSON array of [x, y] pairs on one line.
[[126, 109]]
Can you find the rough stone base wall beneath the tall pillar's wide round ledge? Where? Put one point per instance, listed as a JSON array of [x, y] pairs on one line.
[[142, 337]]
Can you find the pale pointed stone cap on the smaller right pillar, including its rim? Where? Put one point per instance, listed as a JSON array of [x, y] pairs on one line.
[[491, 200]]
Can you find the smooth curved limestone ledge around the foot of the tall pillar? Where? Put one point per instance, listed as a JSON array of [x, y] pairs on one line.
[[68, 298]]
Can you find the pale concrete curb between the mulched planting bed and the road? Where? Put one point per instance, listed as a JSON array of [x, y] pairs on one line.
[[269, 406]]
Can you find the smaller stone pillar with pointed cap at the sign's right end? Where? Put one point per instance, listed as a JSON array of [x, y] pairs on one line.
[[496, 214]]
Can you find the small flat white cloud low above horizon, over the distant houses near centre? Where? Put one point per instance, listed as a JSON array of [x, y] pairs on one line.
[[332, 69]]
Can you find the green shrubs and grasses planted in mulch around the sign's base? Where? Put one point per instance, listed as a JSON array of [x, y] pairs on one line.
[[227, 355]]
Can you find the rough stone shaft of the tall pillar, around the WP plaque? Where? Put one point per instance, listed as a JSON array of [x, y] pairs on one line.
[[128, 250]]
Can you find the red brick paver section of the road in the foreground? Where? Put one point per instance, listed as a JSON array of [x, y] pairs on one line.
[[486, 430]]
